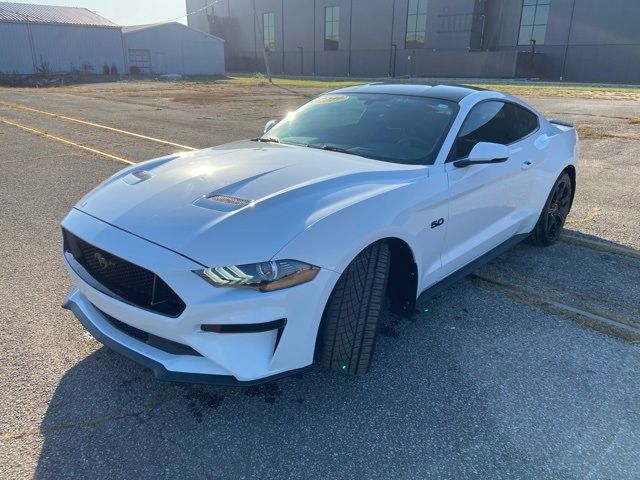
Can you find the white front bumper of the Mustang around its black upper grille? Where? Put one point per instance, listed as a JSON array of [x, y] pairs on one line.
[[218, 358]]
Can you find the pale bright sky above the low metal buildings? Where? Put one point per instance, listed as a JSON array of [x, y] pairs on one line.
[[126, 12]]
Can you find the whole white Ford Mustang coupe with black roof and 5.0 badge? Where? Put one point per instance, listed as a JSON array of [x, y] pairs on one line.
[[244, 262]]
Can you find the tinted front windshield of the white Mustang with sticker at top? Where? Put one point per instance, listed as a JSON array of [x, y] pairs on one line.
[[393, 128]]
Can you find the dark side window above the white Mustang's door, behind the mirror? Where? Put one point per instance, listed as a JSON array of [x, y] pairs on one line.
[[495, 122]]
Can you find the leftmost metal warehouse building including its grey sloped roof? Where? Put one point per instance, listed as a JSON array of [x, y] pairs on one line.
[[58, 39]]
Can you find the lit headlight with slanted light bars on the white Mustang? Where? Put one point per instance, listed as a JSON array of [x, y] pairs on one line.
[[266, 276]]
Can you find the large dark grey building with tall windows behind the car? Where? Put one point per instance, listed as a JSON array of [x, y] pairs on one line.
[[574, 40]]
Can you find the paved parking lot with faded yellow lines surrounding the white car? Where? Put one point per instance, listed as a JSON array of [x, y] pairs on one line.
[[511, 373]]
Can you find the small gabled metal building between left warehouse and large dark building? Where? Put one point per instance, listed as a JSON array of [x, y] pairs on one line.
[[173, 48]]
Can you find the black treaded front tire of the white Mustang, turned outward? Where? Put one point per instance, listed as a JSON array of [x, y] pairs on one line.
[[354, 311]]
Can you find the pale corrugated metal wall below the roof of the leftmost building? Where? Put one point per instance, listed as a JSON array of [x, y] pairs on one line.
[[23, 47]]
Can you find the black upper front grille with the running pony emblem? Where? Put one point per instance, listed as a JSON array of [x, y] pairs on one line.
[[132, 283]]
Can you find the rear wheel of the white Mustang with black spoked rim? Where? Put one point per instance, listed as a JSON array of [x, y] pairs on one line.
[[554, 214]]
